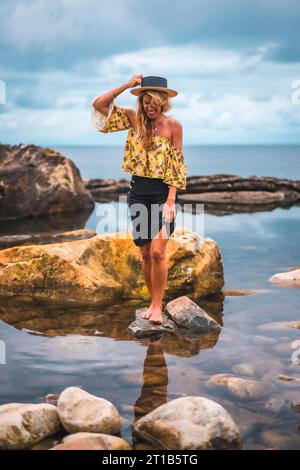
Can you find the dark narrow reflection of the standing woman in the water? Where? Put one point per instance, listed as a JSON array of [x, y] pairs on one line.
[[155, 380]]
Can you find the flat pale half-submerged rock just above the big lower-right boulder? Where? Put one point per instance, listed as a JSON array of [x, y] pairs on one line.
[[243, 389]]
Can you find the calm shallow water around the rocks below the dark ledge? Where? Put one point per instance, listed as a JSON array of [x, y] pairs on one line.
[[49, 349]]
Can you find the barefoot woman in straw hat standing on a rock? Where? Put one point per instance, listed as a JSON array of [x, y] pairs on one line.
[[153, 156]]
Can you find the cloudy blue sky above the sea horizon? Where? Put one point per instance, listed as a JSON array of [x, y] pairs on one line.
[[234, 63]]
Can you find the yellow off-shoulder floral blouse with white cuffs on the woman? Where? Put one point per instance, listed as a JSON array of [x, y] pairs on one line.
[[163, 160]]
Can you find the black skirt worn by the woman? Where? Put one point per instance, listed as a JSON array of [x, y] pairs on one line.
[[146, 198]]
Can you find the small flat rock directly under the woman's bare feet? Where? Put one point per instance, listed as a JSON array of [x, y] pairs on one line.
[[142, 327]]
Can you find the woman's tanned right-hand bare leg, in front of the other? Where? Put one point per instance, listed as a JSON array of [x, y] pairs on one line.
[[159, 273]]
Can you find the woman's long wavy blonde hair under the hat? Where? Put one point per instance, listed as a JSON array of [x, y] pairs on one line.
[[145, 131]]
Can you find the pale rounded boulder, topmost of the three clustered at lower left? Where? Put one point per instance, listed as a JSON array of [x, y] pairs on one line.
[[79, 411]]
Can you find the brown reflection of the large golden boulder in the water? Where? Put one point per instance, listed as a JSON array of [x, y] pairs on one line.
[[51, 319]]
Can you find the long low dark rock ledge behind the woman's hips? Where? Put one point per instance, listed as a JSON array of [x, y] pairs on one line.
[[222, 194]]
